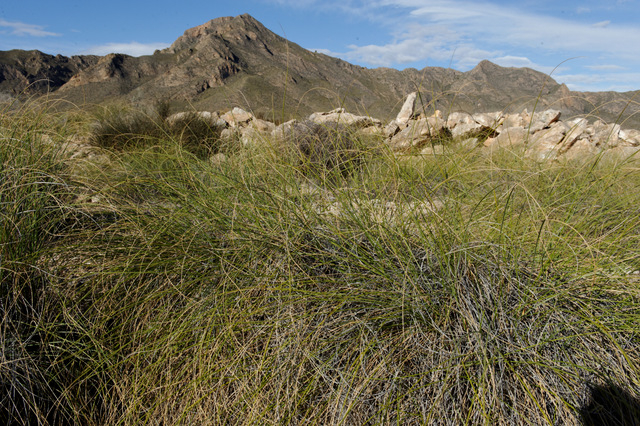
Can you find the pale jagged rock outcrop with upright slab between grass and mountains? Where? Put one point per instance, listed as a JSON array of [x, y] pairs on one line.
[[540, 135]]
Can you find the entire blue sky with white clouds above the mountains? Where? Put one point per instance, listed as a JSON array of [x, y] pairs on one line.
[[592, 45]]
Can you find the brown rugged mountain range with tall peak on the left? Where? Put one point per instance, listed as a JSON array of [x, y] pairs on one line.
[[236, 61]]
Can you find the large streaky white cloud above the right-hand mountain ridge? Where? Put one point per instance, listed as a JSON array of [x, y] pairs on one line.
[[432, 30]]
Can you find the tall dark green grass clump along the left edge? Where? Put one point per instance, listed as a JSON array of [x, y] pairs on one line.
[[32, 193]]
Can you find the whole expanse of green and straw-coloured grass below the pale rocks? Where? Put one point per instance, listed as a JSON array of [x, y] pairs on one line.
[[318, 285]]
